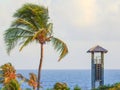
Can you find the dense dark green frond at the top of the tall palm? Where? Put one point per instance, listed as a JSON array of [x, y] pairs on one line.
[[37, 15]]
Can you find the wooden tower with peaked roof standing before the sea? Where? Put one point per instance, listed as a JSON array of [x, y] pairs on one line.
[[97, 65]]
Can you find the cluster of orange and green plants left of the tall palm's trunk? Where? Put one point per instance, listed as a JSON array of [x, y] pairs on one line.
[[9, 78]]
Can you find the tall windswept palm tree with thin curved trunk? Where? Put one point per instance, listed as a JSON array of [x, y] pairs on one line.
[[31, 24]]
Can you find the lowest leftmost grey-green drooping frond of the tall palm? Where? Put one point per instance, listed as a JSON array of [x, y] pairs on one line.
[[13, 35]]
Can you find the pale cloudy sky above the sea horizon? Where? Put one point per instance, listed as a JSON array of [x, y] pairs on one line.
[[81, 24]]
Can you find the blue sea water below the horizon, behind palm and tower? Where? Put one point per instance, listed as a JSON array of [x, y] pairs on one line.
[[81, 78]]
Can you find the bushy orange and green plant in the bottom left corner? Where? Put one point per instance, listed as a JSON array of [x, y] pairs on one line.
[[8, 77]]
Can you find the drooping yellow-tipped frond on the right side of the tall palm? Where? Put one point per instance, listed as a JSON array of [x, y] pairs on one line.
[[60, 46]]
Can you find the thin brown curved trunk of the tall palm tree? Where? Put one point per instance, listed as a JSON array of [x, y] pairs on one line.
[[40, 67]]
